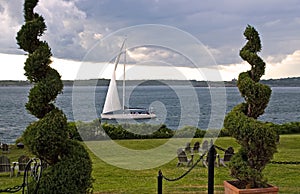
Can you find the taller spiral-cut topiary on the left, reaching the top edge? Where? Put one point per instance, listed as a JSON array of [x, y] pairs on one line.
[[69, 164]]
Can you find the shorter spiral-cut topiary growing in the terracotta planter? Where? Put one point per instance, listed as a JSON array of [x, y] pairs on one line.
[[258, 139]]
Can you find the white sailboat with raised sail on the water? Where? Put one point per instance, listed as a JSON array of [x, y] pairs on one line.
[[112, 108]]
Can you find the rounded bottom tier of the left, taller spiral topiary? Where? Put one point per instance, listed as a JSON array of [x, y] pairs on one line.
[[71, 175]]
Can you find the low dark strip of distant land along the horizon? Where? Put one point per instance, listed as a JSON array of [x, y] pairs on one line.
[[283, 82]]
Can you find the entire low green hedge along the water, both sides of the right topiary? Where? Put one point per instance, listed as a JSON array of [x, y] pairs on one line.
[[91, 131]]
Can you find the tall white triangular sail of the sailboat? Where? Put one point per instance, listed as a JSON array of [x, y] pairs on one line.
[[112, 100]]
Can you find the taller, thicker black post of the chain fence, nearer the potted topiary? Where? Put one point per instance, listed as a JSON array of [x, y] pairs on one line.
[[211, 165]]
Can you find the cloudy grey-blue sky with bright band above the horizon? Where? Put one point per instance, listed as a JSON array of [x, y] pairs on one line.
[[74, 27]]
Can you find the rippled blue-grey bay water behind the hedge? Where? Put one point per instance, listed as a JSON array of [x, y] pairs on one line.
[[175, 106]]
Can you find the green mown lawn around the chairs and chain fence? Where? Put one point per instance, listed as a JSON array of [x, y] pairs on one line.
[[112, 179]]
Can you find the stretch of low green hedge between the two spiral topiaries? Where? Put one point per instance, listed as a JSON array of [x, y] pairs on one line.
[[96, 131]]
